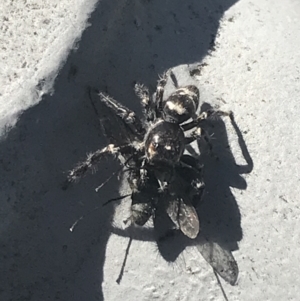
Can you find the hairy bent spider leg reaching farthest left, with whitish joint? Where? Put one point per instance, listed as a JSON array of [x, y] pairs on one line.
[[94, 158]]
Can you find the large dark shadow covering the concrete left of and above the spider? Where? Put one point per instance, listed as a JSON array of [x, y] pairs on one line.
[[127, 41]]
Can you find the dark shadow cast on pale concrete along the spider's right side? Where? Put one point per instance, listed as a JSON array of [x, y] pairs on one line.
[[219, 213]]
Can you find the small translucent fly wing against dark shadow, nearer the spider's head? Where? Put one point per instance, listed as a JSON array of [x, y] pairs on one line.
[[184, 216]]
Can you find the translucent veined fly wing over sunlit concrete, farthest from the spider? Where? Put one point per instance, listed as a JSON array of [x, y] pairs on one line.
[[220, 259]]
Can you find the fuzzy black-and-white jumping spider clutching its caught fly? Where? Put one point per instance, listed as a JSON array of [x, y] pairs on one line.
[[159, 173]]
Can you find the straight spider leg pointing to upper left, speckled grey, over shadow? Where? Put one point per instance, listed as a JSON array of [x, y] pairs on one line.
[[128, 116]]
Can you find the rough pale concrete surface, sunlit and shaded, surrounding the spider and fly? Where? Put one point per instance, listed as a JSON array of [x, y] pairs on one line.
[[244, 56]]
